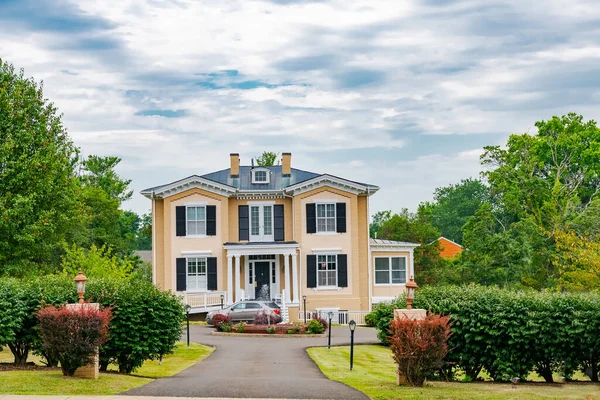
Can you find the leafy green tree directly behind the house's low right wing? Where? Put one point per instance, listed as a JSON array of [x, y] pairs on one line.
[[416, 228]]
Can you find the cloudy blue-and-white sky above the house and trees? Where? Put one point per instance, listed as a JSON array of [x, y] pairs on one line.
[[398, 93]]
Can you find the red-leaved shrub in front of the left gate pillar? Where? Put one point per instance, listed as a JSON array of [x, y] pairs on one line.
[[72, 336]]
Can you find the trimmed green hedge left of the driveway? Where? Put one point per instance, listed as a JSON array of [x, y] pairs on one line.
[[146, 322]]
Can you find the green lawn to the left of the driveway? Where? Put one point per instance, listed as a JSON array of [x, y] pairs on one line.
[[52, 382]]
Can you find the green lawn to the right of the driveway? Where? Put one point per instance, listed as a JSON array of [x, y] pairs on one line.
[[374, 374]]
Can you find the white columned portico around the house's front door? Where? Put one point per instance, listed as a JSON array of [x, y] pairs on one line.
[[267, 268]]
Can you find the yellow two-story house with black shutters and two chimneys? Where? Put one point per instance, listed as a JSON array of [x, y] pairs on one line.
[[277, 232]]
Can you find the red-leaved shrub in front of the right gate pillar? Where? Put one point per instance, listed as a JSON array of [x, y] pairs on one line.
[[419, 346]]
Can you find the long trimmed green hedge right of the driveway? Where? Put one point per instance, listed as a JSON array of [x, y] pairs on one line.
[[511, 333]]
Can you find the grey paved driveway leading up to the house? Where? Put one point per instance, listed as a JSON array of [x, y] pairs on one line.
[[258, 367]]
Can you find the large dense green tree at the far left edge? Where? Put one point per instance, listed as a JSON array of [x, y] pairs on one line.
[[39, 200]]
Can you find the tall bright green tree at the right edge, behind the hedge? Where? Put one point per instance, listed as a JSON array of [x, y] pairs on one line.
[[546, 183]]
